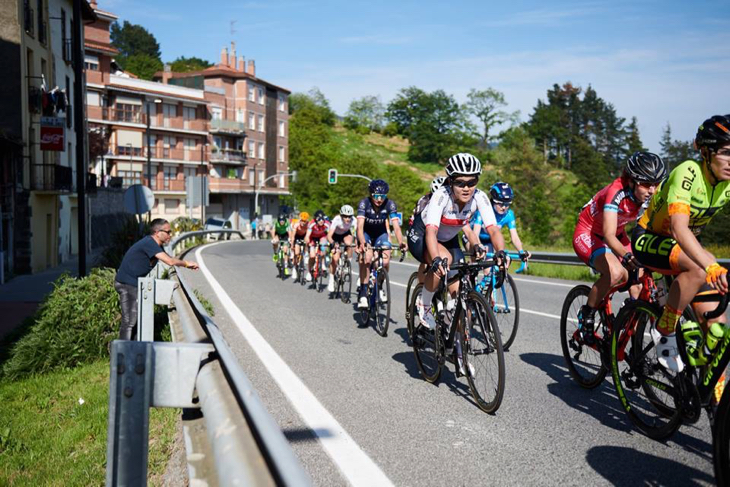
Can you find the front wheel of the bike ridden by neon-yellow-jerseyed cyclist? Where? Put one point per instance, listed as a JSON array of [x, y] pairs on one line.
[[645, 389]]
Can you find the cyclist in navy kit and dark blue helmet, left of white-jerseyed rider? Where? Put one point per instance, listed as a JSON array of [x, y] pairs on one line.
[[375, 214]]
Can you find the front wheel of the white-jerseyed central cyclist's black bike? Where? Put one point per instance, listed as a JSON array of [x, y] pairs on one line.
[[482, 349]]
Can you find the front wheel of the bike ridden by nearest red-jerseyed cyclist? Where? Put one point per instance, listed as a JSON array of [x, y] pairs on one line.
[[583, 361]]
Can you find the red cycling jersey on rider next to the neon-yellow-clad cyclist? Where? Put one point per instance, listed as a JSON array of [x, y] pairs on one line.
[[617, 197]]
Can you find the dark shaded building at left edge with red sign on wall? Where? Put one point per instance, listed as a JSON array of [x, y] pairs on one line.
[[38, 197]]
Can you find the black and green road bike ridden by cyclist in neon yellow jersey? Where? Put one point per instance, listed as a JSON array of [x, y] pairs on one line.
[[656, 400]]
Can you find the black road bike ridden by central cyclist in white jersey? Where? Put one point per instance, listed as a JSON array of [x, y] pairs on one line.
[[468, 326]]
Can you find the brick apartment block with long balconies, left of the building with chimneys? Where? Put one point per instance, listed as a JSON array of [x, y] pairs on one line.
[[150, 133]]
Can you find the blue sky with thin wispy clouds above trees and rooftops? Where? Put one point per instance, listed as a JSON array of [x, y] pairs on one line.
[[661, 61]]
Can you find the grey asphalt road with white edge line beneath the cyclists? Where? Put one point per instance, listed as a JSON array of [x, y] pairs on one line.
[[548, 431]]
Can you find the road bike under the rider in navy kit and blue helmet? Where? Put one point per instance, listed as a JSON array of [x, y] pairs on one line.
[[378, 293]]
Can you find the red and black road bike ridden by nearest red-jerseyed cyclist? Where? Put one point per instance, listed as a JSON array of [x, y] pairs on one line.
[[586, 354]]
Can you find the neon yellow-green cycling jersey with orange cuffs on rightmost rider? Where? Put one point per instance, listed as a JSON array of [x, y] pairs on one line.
[[686, 191]]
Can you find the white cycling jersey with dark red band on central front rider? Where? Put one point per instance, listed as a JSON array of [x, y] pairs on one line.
[[443, 213]]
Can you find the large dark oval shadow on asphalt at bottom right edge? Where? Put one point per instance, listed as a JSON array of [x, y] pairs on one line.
[[626, 466]]
